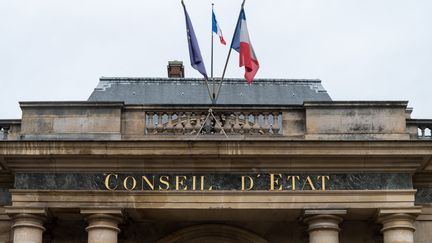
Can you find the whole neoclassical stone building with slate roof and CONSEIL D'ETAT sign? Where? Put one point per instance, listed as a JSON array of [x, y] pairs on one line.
[[153, 160]]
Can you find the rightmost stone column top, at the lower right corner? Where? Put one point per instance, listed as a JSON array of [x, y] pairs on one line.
[[398, 225]]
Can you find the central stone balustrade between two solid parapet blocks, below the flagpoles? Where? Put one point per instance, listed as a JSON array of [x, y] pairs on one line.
[[183, 122]]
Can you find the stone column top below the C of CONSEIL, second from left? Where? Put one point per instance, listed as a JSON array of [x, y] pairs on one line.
[[102, 224]]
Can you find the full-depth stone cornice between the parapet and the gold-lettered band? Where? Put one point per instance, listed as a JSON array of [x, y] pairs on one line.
[[232, 155]]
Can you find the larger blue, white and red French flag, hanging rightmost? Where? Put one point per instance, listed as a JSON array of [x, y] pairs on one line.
[[242, 44]]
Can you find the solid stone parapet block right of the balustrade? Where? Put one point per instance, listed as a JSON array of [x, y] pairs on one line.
[[356, 120]]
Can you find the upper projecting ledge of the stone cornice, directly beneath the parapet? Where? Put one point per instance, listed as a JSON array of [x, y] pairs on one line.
[[270, 147]]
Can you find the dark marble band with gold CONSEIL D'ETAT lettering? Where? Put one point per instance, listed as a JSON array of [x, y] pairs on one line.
[[239, 181]]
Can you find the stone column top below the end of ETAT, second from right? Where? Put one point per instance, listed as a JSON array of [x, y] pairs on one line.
[[323, 225]]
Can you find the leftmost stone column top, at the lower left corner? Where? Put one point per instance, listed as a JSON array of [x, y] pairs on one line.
[[27, 224]]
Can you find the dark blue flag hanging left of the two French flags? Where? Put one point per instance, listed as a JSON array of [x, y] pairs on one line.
[[194, 51]]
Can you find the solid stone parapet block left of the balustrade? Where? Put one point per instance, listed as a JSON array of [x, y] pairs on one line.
[[71, 120]]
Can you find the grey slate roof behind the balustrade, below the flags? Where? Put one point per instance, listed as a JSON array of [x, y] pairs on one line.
[[187, 91]]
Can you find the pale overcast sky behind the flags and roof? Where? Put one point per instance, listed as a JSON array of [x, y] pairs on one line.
[[52, 50]]
